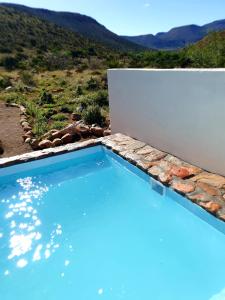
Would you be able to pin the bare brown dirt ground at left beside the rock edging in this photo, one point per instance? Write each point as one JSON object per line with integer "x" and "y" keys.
{"x": 11, "y": 132}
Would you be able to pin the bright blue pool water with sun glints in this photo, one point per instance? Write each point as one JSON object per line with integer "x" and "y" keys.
{"x": 88, "y": 225}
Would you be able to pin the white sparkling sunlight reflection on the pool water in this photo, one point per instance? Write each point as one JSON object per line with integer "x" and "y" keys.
{"x": 24, "y": 225}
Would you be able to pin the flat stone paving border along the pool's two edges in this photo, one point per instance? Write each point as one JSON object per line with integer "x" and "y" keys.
{"x": 203, "y": 188}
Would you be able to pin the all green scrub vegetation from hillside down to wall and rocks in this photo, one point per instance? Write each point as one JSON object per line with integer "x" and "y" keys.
{"x": 55, "y": 72}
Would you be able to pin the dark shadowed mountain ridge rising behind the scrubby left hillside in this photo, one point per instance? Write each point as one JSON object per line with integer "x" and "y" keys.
{"x": 81, "y": 24}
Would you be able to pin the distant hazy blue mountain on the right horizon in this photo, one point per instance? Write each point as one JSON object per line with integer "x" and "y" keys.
{"x": 178, "y": 37}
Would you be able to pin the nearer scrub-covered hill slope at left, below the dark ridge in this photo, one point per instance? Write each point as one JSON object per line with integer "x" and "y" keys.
{"x": 30, "y": 42}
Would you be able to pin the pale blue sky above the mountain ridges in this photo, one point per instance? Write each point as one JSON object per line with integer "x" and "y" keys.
{"x": 133, "y": 17}
